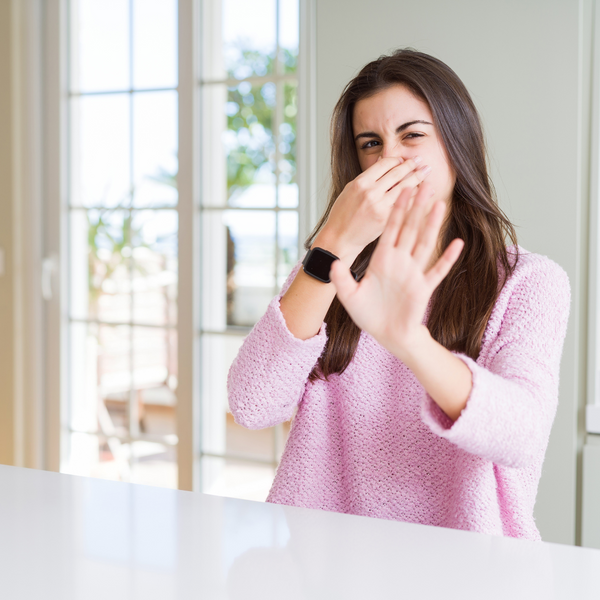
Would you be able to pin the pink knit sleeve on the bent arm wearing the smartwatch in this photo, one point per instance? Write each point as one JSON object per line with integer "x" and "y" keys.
{"x": 267, "y": 379}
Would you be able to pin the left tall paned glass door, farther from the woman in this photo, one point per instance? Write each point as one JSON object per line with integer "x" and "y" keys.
{"x": 123, "y": 225}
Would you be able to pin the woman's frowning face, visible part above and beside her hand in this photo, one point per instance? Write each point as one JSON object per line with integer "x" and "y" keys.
{"x": 394, "y": 122}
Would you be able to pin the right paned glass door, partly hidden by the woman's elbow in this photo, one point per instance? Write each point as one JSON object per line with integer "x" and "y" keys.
{"x": 249, "y": 215}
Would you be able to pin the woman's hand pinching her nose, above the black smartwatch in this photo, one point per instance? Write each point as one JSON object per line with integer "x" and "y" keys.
{"x": 361, "y": 211}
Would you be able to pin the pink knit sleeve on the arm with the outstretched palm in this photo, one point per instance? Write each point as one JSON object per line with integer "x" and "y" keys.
{"x": 512, "y": 404}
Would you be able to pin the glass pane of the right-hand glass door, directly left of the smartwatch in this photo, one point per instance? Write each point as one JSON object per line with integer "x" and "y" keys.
{"x": 251, "y": 265}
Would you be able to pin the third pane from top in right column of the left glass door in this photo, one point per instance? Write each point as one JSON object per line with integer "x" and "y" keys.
{"x": 154, "y": 239}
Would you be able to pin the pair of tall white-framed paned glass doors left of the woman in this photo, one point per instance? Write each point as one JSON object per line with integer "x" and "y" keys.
{"x": 131, "y": 252}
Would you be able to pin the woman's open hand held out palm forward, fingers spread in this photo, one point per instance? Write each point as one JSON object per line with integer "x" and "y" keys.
{"x": 390, "y": 301}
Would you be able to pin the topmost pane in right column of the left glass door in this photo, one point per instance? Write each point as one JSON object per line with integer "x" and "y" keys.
{"x": 154, "y": 43}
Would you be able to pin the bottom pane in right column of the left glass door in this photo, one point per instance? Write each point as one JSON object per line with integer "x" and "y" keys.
{"x": 154, "y": 464}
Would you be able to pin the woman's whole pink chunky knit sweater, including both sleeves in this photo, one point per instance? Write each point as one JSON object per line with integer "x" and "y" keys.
{"x": 372, "y": 442}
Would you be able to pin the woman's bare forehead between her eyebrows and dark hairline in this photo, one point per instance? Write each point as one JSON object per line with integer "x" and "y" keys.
{"x": 390, "y": 107}
